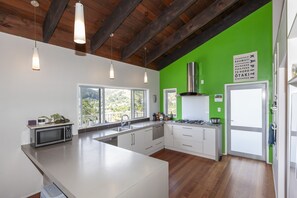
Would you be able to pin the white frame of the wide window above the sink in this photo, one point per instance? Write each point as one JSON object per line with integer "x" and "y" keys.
{"x": 102, "y": 103}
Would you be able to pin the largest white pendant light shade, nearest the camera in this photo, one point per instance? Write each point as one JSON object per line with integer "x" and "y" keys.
{"x": 79, "y": 24}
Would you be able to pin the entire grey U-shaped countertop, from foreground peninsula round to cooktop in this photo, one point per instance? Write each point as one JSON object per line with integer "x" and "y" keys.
{"x": 85, "y": 167}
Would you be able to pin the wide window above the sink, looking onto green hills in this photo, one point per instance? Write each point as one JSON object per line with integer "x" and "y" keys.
{"x": 98, "y": 105}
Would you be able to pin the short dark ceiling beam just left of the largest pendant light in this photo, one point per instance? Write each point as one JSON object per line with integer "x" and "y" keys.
{"x": 53, "y": 17}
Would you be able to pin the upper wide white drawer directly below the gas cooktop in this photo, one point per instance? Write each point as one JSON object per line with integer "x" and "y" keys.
{"x": 188, "y": 133}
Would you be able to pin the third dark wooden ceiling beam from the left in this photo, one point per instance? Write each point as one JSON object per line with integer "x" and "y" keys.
{"x": 152, "y": 29}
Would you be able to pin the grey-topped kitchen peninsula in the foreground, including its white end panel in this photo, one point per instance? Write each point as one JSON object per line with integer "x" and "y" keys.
{"x": 85, "y": 167}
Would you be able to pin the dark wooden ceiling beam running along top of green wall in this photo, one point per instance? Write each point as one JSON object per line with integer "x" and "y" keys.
{"x": 249, "y": 7}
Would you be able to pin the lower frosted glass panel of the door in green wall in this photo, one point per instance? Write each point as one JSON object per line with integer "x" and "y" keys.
{"x": 246, "y": 142}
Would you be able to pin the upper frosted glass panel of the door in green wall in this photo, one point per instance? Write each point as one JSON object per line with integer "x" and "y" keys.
{"x": 246, "y": 108}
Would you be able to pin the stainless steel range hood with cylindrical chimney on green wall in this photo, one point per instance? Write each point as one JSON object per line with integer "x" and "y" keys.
{"x": 192, "y": 81}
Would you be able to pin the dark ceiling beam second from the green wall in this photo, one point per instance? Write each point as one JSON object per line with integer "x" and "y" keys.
{"x": 197, "y": 22}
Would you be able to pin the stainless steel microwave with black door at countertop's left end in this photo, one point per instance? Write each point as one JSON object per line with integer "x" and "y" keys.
{"x": 47, "y": 135}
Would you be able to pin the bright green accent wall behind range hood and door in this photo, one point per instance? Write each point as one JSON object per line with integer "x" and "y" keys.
{"x": 215, "y": 60}
